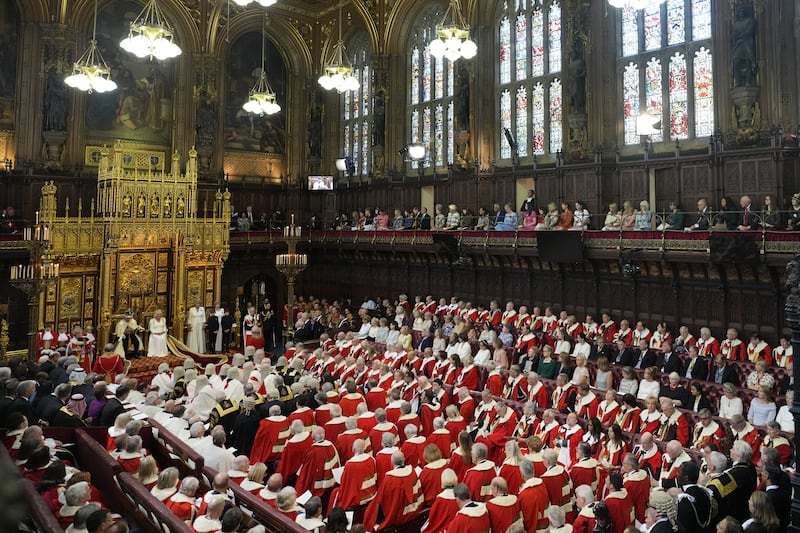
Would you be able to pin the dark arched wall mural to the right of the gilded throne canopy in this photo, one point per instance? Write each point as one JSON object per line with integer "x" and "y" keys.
{"x": 245, "y": 131}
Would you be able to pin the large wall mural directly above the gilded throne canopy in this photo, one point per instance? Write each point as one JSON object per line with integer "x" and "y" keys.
{"x": 141, "y": 107}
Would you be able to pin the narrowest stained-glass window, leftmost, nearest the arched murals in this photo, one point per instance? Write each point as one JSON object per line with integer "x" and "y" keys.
{"x": 357, "y": 108}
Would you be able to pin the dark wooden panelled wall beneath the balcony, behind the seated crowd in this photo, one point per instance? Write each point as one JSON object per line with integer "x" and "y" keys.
{"x": 695, "y": 294}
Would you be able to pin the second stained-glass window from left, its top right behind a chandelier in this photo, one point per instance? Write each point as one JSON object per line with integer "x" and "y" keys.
{"x": 431, "y": 91}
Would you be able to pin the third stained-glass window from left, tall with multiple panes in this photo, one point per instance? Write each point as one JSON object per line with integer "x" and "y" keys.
{"x": 530, "y": 92}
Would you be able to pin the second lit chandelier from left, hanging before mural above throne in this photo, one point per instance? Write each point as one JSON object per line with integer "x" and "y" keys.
{"x": 150, "y": 35}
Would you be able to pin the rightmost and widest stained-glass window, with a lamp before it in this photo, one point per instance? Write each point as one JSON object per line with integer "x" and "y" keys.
{"x": 665, "y": 68}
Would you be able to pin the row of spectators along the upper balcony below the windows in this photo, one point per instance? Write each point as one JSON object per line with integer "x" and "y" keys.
{"x": 631, "y": 216}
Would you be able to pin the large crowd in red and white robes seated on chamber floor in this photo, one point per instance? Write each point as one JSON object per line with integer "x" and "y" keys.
{"x": 559, "y": 421}
